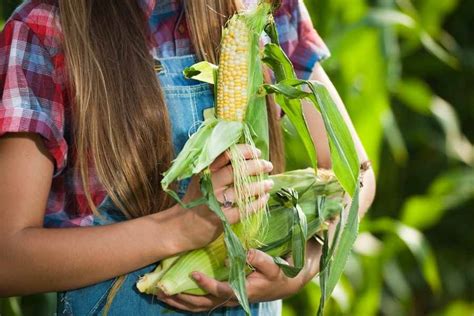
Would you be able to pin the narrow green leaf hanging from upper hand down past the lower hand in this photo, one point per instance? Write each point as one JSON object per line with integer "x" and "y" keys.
{"x": 236, "y": 252}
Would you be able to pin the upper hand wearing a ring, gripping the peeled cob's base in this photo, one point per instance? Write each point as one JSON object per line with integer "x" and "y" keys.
{"x": 200, "y": 225}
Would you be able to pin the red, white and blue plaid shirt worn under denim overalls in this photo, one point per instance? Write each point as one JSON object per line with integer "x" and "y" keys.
{"x": 33, "y": 95}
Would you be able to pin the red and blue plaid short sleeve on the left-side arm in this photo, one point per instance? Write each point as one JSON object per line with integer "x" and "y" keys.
{"x": 30, "y": 98}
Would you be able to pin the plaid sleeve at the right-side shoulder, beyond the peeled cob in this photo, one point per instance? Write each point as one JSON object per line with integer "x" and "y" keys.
{"x": 299, "y": 38}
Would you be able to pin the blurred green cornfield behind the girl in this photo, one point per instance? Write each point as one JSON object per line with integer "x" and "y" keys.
{"x": 405, "y": 69}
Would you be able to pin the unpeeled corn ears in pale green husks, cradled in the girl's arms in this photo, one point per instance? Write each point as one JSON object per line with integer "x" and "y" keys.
{"x": 172, "y": 276}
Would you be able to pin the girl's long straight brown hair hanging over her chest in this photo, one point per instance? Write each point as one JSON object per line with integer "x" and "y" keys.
{"x": 120, "y": 122}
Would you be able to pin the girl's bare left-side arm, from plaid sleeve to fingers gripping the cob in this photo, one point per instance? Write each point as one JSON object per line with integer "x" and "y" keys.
{"x": 35, "y": 259}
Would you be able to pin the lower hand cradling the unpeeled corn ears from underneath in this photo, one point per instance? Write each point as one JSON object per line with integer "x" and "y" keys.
{"x": 266, "y": 283}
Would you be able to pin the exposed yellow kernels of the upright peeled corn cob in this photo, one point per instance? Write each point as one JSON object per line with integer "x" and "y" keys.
{"x": 232, "y": 83}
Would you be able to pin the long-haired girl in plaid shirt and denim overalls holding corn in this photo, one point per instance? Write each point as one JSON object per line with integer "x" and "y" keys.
{"x": 93, "y": 109}
